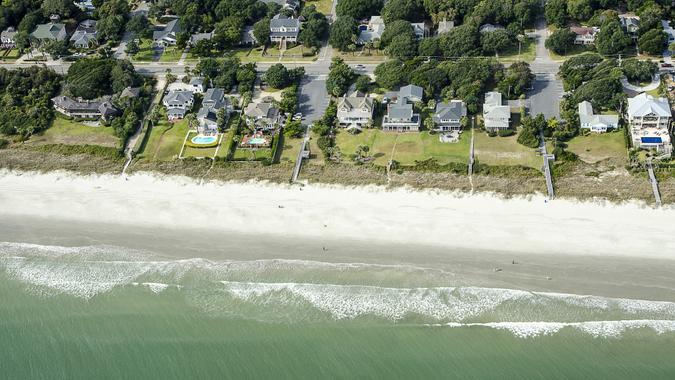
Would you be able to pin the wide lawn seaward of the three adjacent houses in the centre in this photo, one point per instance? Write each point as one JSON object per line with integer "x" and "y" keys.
{"x": 405, "y": 148}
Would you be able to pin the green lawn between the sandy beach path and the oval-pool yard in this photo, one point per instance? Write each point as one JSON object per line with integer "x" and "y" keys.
{"x": 165, "y": 140}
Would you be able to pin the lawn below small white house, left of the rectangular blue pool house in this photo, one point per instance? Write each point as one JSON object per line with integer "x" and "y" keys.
{"x": 599, "y": 146}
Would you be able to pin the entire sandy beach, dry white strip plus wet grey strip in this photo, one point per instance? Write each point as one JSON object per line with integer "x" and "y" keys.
{"x": 472, "y": 240}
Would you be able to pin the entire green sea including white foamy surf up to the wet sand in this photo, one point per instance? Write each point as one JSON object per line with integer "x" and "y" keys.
{"x": 103, "y": 312}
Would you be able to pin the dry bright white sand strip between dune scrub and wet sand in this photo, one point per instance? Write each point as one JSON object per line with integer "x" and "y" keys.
{"x": 455, "y": 220}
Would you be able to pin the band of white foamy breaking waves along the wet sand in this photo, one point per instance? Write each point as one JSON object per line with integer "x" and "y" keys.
{"x": 311, "y": 291}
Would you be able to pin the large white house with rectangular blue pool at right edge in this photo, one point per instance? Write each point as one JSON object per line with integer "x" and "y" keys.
{"x": 649, "y": 120}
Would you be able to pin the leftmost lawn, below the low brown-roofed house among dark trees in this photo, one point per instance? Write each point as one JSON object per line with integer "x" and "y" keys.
{"x": 64, "y": 131}
